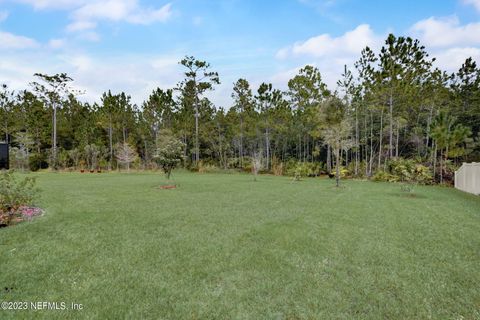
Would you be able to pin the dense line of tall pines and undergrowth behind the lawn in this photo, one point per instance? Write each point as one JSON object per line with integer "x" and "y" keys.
{"x": 395, "y": 104}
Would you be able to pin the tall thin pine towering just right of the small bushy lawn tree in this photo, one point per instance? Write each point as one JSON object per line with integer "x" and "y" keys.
{"x": 201, "y": 80}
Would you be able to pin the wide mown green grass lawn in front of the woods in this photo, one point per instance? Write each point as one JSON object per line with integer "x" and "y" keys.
{"x": 224, "y": 247}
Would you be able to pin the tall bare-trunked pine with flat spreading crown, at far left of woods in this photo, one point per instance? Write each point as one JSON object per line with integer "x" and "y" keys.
{"x": 52, "y": 90}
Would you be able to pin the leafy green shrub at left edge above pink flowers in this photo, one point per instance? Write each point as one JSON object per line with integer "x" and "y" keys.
{"x": 13, "y": 195}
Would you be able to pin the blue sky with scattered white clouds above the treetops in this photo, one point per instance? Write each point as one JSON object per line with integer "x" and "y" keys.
{"x": 135, "y": 45}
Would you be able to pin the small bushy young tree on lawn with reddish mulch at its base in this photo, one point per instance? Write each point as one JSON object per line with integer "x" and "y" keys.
{"x": 169, "y": 151}
